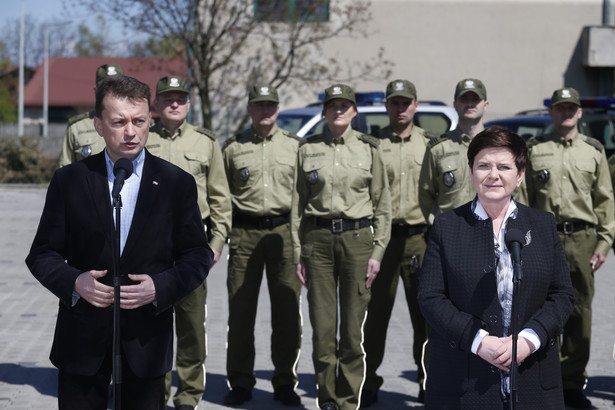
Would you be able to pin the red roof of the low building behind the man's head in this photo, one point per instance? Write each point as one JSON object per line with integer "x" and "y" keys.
{"x": 72, "y": 80}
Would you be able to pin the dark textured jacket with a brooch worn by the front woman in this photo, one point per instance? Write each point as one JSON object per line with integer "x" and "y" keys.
{"x": 458, "y": 296}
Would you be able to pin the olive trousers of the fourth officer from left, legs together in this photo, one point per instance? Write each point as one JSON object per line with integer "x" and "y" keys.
{"x": 336, "y": 267}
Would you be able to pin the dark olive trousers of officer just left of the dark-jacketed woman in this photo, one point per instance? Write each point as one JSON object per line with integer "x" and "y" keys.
{"x": 403, "y": 258}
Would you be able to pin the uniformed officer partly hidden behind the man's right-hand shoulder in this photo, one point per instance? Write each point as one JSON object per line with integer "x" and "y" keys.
{"x": 196, "y": 151}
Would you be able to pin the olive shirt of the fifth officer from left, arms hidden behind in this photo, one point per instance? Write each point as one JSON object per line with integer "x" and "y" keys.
{"x": 403, "y": 158}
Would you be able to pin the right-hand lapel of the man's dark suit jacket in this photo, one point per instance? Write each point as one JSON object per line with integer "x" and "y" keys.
{"x": 146, "y": 201}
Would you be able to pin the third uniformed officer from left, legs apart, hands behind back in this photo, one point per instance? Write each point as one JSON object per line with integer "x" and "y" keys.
{"x": 259, "y": 165}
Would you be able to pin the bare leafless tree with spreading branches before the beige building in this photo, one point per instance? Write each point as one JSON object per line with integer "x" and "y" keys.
{"x": 227, "y": 47}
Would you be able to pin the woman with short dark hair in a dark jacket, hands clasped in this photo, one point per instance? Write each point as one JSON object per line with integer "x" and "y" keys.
{"x": 465, "y": 290}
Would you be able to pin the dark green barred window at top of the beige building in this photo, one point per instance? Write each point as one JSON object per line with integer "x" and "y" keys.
{"x": 291, "y": 10}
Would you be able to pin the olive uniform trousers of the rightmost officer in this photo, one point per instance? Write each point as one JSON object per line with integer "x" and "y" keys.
{"x": 574, "y": 354}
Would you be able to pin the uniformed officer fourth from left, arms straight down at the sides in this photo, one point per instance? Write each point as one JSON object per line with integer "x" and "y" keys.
{"x": 341, "y": 224}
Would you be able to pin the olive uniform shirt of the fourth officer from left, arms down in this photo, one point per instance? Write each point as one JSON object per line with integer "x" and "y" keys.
{"x": 342, "y": 178}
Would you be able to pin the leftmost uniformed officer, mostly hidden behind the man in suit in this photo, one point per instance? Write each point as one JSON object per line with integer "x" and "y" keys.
{"x": 81, "y": 139}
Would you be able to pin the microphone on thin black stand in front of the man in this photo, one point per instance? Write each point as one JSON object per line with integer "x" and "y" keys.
{"x": 117, "y": 358}
